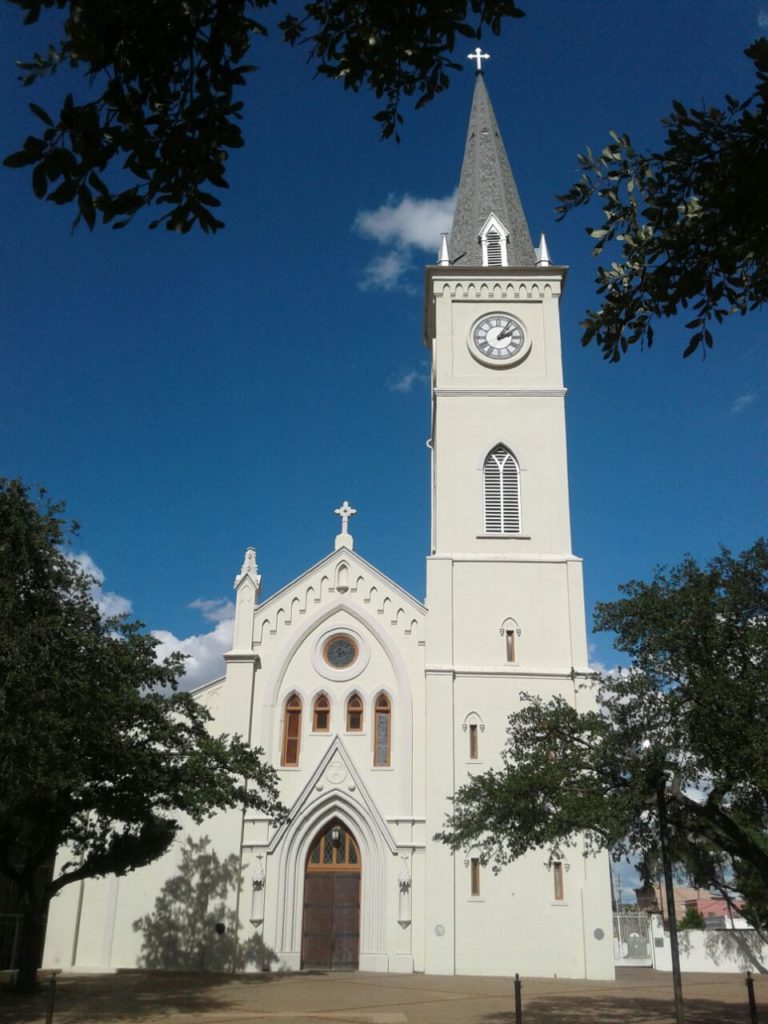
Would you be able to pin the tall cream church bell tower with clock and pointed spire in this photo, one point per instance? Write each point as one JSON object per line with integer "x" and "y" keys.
{"x": 505, "y": 606}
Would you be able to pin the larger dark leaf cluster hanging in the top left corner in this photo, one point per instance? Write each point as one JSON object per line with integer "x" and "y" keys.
{"x": 164, "y": 78}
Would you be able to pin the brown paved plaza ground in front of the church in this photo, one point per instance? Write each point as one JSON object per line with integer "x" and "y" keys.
{"x": 637, "y": 997}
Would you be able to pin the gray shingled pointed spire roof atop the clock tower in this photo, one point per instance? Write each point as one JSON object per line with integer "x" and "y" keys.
{"x": 487, "y": 187}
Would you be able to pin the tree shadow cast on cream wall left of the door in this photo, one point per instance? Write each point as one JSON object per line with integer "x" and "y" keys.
{"x": 193, "y": 926}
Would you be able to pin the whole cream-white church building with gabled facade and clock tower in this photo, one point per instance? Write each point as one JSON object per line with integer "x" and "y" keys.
{"x": 374, "y": 707}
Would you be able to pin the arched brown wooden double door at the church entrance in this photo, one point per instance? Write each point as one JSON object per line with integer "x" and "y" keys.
{"x": 331, "y": 938}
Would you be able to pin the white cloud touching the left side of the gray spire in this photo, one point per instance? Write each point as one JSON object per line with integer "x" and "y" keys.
{"x": 402, "y": 227}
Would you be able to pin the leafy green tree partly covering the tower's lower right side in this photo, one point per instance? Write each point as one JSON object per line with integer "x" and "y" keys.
{"x": 693, "y": 709}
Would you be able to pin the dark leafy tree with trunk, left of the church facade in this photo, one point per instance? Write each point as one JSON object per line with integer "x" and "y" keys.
{"x": 100, "y": 755}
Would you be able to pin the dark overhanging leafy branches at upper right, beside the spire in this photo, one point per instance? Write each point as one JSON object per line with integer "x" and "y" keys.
{"x": 687, "y": 226}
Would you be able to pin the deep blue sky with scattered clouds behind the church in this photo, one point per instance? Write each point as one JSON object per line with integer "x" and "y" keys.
{"x": 191, "y": 396}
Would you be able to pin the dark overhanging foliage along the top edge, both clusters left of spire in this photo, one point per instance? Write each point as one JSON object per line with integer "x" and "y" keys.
{"x": 161, "y": 113}
